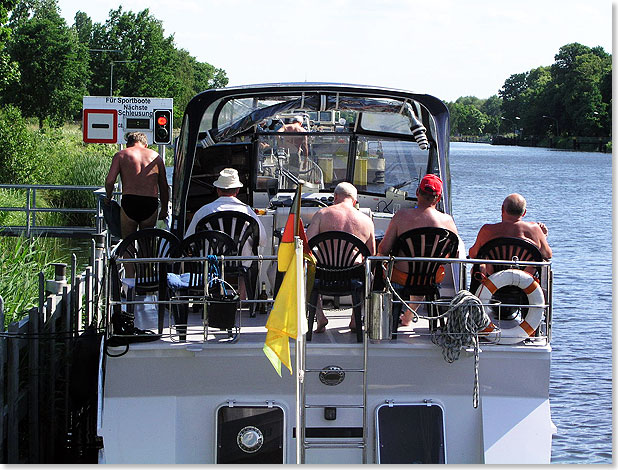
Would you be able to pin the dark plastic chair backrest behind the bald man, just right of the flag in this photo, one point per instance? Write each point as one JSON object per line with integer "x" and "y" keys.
{"x": 340, "y": 259}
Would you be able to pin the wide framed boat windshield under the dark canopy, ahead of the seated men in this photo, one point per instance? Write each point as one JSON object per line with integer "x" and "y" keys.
{"x": 376, "y": 143}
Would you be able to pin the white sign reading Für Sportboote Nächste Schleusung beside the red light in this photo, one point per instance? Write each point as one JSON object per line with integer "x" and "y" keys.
{"x": 107, "y": 119}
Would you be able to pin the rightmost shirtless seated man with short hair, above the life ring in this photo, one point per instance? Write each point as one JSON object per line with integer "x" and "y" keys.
{"x": 512, "y": 225}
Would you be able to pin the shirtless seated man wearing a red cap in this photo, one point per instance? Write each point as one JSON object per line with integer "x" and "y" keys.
{"x": 428, "y": 194}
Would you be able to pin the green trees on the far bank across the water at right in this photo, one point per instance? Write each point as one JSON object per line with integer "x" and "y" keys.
{"x": 572, "y": 97}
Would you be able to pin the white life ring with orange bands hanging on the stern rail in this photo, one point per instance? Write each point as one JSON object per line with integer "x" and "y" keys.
{"x": 536, "y": 302}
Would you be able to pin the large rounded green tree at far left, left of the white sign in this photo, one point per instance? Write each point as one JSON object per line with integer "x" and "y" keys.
{"x": 52, "y": 64}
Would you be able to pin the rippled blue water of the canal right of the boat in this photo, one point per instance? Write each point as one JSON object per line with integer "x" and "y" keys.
{"x": 571, "y": 193}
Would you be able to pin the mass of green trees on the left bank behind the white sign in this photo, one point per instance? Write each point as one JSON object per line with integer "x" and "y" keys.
{"x": 55, "y": 65}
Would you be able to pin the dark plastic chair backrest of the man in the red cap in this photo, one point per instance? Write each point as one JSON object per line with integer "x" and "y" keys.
{"x": 425, "y": 242}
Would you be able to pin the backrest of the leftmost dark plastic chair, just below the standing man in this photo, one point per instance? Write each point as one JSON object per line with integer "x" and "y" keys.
{"x": 148, "y": 243}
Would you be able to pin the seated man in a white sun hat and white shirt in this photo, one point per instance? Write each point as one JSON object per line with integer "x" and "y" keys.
{"x": 228, "y": 185}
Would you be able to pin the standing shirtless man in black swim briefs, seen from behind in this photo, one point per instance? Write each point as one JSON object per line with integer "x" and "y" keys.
{"x": 142, "y": 172}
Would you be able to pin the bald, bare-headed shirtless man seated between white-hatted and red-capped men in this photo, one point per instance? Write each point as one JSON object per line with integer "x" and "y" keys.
{"x": 342, "y": 216}
